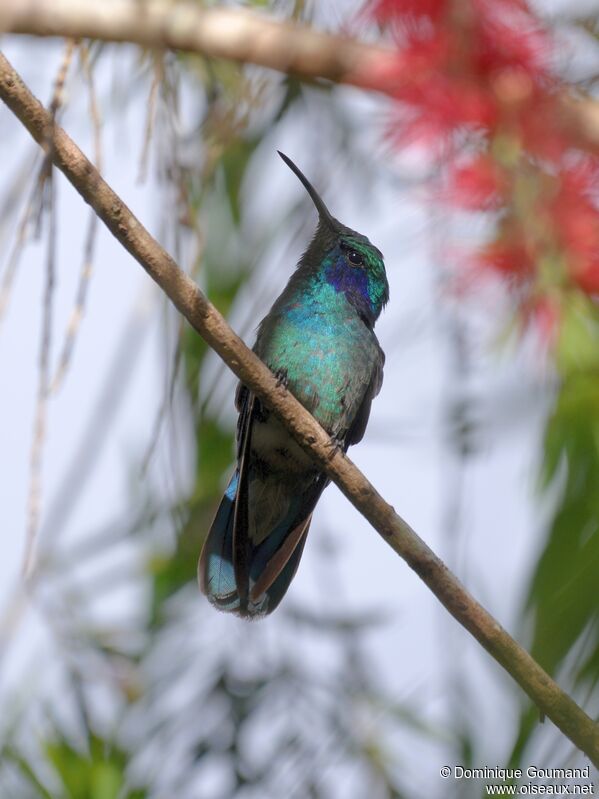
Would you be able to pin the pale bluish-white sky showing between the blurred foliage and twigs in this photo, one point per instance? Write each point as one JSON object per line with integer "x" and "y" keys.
{"x": 405, "y": 452}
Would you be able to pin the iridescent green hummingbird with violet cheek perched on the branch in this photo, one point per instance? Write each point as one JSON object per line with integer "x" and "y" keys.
{"x": 318, "y": 340}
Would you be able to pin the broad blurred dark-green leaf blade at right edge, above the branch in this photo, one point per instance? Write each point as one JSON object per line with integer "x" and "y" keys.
{"x": 563, "y": 598}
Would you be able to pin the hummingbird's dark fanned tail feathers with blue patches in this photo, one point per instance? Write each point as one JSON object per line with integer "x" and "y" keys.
{"x": 272, "y": 561}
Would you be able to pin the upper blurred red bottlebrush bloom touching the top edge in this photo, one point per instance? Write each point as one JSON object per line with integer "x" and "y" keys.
{"x": 448, "y": 53}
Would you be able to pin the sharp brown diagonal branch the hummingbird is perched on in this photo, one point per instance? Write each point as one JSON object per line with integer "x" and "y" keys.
{"x": 207, "y": 321}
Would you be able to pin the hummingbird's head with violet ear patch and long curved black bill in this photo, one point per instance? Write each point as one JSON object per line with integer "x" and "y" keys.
{"x": 345, "y": 259}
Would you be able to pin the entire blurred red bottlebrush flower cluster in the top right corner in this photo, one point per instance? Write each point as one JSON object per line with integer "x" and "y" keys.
{"x": 474, "y": 75}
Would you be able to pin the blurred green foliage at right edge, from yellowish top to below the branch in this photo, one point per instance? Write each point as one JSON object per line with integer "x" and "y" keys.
{"x": 562, "y": 608}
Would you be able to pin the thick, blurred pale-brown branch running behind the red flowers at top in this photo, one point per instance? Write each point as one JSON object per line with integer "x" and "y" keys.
{"x": 235, "y": 34}
